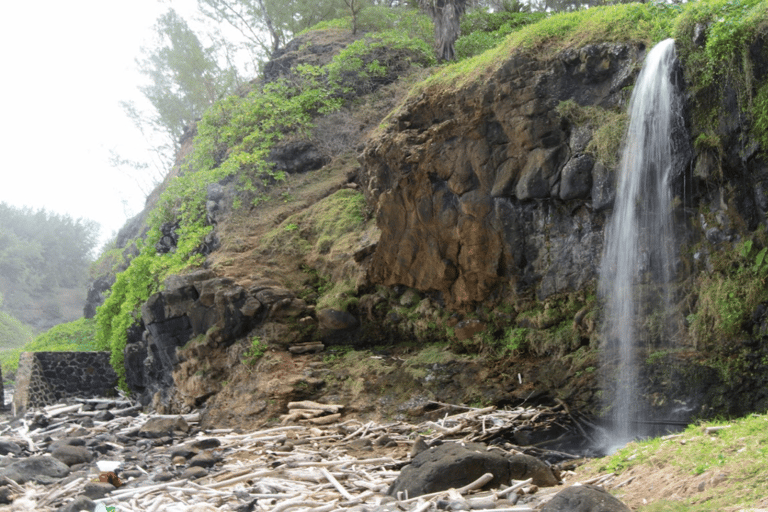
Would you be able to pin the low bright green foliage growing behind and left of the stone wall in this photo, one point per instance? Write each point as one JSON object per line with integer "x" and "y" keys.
{"x": 77, "y": 336}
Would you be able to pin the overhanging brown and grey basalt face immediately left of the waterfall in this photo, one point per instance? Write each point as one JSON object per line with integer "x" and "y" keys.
{"x": 487, "y": 186}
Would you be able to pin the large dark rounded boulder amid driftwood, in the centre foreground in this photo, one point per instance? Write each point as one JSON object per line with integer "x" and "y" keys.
{"x": 450, "y": 465}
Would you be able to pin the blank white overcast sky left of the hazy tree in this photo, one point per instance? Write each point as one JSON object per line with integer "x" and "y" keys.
{"x": 66, "y": 66}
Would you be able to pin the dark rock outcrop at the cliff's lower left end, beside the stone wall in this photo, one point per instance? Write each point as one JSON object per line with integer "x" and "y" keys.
{"x": 178, "y": 352}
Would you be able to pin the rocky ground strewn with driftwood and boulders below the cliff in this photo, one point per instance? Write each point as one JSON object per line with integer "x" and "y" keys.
{"x": 316, "y": 459}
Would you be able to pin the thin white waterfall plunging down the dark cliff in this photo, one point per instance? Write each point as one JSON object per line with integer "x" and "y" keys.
{"x": 639, "y": 254}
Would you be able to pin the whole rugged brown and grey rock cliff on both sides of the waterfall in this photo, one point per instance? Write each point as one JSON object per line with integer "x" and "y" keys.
{"x": 485, "y": 201}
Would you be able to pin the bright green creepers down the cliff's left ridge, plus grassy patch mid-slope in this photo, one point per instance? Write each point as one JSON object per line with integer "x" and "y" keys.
{"x": 235, "y": 137}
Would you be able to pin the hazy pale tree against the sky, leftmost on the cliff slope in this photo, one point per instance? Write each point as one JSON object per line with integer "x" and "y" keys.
{"x": 184, "y": 80}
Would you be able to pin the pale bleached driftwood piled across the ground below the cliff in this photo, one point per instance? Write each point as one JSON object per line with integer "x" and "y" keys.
{"x": 312, "y": 466}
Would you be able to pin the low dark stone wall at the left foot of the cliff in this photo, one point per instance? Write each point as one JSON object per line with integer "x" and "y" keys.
{"x": 44, "y": 378}
